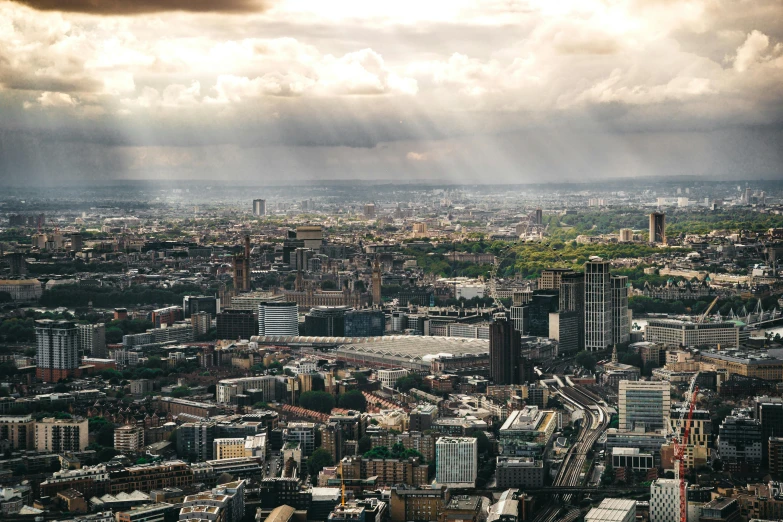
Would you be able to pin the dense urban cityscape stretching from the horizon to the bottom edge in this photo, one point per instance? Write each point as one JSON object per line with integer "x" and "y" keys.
{"x": 387, "y": 352}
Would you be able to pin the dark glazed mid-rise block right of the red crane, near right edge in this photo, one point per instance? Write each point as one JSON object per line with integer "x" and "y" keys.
{"x": 740, "y": 443}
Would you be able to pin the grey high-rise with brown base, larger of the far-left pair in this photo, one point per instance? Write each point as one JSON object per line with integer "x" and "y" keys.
{"x": 57, "y": 353}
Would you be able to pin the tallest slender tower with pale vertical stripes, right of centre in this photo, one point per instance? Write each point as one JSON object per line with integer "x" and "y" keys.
{"x": 598, "y": 305}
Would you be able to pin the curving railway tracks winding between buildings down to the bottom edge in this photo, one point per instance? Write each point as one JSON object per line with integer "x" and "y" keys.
{"x": 594, "y": 423}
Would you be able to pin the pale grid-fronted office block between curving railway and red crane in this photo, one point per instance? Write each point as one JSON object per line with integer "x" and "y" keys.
{"x": 644, "y": 404}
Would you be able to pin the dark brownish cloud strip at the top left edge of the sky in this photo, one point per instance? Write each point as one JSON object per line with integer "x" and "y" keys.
{"x": 135, "y": 7}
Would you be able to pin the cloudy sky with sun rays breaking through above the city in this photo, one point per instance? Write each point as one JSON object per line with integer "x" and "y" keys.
{"x": 461, "y": 91}
